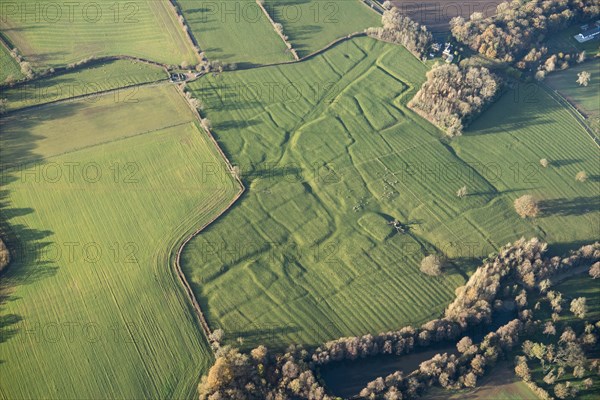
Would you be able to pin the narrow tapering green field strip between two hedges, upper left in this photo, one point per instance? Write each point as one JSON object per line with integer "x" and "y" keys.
{"x": 94, "y": 79}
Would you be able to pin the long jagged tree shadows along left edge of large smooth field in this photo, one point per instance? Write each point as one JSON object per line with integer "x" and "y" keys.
{"x": 28, "y": 246}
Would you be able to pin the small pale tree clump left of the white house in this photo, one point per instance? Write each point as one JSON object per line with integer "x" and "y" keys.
{"x": 400, "y": 29}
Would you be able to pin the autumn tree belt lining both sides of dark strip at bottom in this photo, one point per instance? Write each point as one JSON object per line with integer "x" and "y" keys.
{"x": 515, "y": 266}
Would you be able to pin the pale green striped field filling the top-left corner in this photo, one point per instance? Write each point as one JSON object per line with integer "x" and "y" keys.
{"x": 45, "y": 32}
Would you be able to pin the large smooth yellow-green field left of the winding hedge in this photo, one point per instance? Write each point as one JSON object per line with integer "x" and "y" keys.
{"x": 94, "y": 225}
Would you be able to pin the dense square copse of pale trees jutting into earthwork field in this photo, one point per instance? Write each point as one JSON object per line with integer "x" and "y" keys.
{"x": 452, "y": 96}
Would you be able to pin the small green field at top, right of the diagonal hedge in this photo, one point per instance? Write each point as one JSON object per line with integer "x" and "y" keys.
{"x": 313, "y": 24}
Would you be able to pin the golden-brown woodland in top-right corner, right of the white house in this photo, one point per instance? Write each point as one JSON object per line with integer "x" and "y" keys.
{"x": 519, "y": 26}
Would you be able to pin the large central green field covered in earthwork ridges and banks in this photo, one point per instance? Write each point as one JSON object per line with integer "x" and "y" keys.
{"x": 310, "y": 256}
